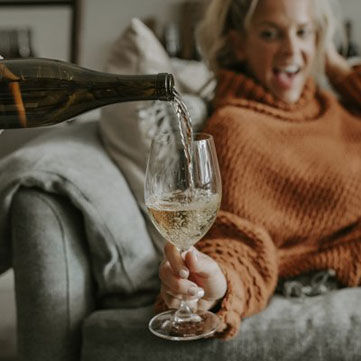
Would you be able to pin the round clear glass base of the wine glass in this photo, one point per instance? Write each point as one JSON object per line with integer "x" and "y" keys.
{"x": 201, "y": 326}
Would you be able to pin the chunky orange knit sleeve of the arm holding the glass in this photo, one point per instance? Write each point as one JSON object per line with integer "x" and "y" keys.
{"x": 248, "y": 258}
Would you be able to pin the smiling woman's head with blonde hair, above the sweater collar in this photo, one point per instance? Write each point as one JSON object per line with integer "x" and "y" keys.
{"x": 291, "y": 36}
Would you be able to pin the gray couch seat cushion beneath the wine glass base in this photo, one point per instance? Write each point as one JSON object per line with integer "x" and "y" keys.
{"x": 326, "y": 327}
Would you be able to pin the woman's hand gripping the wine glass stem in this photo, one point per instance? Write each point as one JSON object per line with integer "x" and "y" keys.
{"x": 192, "y": 276}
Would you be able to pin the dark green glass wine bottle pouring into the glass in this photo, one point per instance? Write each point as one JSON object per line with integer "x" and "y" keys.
{"x": 37, "y": 92}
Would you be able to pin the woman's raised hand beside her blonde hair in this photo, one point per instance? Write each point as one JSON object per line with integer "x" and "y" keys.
{"x": 337, "y": 67}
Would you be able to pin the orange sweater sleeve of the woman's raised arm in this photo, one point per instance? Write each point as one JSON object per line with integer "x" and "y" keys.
{"x": 350, "y": 87}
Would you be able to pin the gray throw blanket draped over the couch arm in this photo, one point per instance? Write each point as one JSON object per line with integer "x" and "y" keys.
{"x": 72, "y": 162}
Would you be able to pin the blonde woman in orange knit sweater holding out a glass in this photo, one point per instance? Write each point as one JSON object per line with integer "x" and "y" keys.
{"x": 290, "y": 158}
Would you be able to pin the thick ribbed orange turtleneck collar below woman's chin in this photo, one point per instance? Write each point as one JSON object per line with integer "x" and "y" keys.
{"x": 240, "y": 90}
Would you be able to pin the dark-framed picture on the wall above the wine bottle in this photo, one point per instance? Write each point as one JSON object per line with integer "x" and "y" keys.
{"x": 25, "y": 24}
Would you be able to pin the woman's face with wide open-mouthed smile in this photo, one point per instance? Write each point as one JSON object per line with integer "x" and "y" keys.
{"x": 279, "y": 46}
